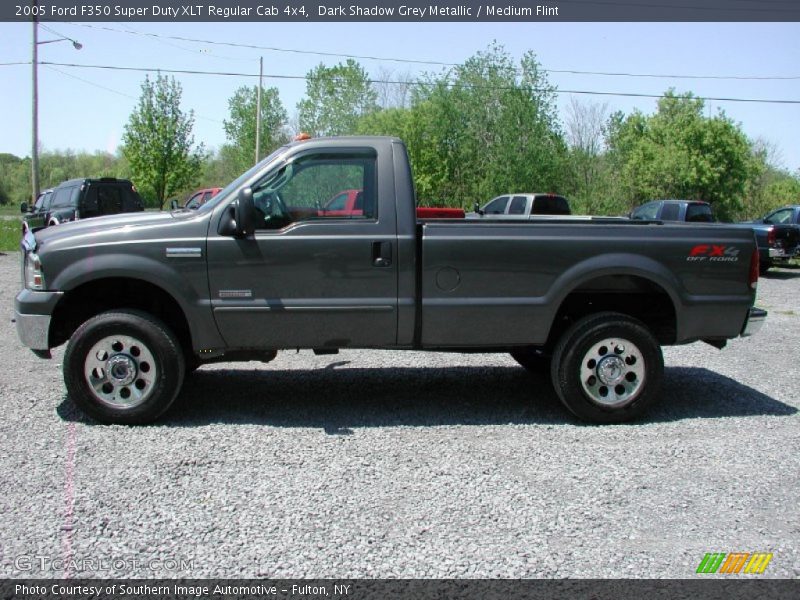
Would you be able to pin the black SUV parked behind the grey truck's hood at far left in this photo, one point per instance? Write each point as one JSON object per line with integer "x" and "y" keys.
{"x": 81, "y": 199}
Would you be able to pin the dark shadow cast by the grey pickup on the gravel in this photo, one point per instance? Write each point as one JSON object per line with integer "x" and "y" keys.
{"x": 340, "y": 400}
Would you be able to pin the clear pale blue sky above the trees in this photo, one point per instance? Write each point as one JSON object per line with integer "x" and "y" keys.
{"x": 86, "y": 109}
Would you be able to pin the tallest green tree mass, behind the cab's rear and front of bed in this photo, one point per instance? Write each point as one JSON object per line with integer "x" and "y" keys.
{"x": 481, "y": 129}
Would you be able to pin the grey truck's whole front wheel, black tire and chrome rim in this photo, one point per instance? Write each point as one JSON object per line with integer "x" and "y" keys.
{"x": 123, "y": 367}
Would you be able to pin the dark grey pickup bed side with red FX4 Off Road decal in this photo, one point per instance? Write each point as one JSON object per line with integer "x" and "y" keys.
{"x": 502, "y": 283}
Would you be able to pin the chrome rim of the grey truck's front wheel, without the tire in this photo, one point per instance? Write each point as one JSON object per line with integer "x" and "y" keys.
{"x": 121, "y": 371}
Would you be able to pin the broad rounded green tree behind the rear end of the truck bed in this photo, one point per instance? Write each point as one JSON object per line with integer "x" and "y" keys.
{"x": 679, "y": 153}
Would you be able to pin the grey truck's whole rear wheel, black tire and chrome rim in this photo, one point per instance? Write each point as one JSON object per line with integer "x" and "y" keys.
{"x": 607, "y": 368}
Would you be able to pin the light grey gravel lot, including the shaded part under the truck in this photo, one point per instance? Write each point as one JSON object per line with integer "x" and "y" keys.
{"x": 404, "y": 464}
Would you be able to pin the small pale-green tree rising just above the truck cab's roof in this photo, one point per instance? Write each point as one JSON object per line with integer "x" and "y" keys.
{"x": 336, "y": 97}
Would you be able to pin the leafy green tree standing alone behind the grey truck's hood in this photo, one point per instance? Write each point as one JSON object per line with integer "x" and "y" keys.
{"x": 158, "y": 142}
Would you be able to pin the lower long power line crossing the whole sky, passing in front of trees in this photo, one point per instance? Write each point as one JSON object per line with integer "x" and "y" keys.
{"x": 304, "y": 77}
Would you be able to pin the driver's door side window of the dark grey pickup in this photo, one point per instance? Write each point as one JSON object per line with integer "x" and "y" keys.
{"x": 304, "y": 190}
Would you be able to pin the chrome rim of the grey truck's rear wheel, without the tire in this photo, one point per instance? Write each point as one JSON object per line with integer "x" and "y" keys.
{"x": 613, "y": 372}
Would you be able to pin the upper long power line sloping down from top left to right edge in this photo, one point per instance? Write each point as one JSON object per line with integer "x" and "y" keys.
{"x": 436, "y": 63}
